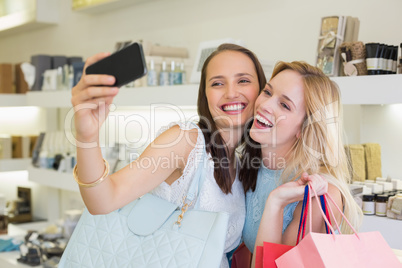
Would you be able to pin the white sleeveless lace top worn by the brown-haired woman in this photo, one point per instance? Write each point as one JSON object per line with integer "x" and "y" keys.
{"x": 211, "y": 196}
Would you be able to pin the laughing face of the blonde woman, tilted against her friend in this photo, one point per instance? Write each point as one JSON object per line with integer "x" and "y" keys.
{"x": 280, "y": 111}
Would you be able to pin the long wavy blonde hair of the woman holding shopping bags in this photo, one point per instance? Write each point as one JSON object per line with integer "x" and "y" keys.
{"x": 320, "y": 147}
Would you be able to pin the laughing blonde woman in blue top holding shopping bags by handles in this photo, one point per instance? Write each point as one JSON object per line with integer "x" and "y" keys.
{"x": 296, "y": 128}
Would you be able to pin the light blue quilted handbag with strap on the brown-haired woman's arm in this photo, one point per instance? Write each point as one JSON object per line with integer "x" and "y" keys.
{"x": 150, "y": 232}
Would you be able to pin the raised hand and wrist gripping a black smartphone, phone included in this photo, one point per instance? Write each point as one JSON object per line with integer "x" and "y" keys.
{"x": 104, "y": 73}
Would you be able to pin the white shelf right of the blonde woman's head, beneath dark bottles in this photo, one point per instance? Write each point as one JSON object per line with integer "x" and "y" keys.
{"x": 370, "y": 89}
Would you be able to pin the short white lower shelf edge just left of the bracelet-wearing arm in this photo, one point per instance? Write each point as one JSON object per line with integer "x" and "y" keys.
{"x": 51, "y": 178}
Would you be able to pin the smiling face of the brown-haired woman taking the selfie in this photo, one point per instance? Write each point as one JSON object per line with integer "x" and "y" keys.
{"x": 231, "y": 88}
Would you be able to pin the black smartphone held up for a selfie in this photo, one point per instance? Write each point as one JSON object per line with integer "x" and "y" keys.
{"x": 126, "y": 65}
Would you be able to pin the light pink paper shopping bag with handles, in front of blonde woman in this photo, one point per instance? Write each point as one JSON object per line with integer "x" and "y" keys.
{"x": 342, "y": 250}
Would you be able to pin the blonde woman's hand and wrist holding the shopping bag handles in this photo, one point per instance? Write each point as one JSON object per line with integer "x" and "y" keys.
{"x": 294, "y": 191}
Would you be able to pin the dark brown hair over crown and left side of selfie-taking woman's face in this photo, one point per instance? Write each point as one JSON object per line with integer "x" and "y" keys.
{"x": 217, "y": 146}
